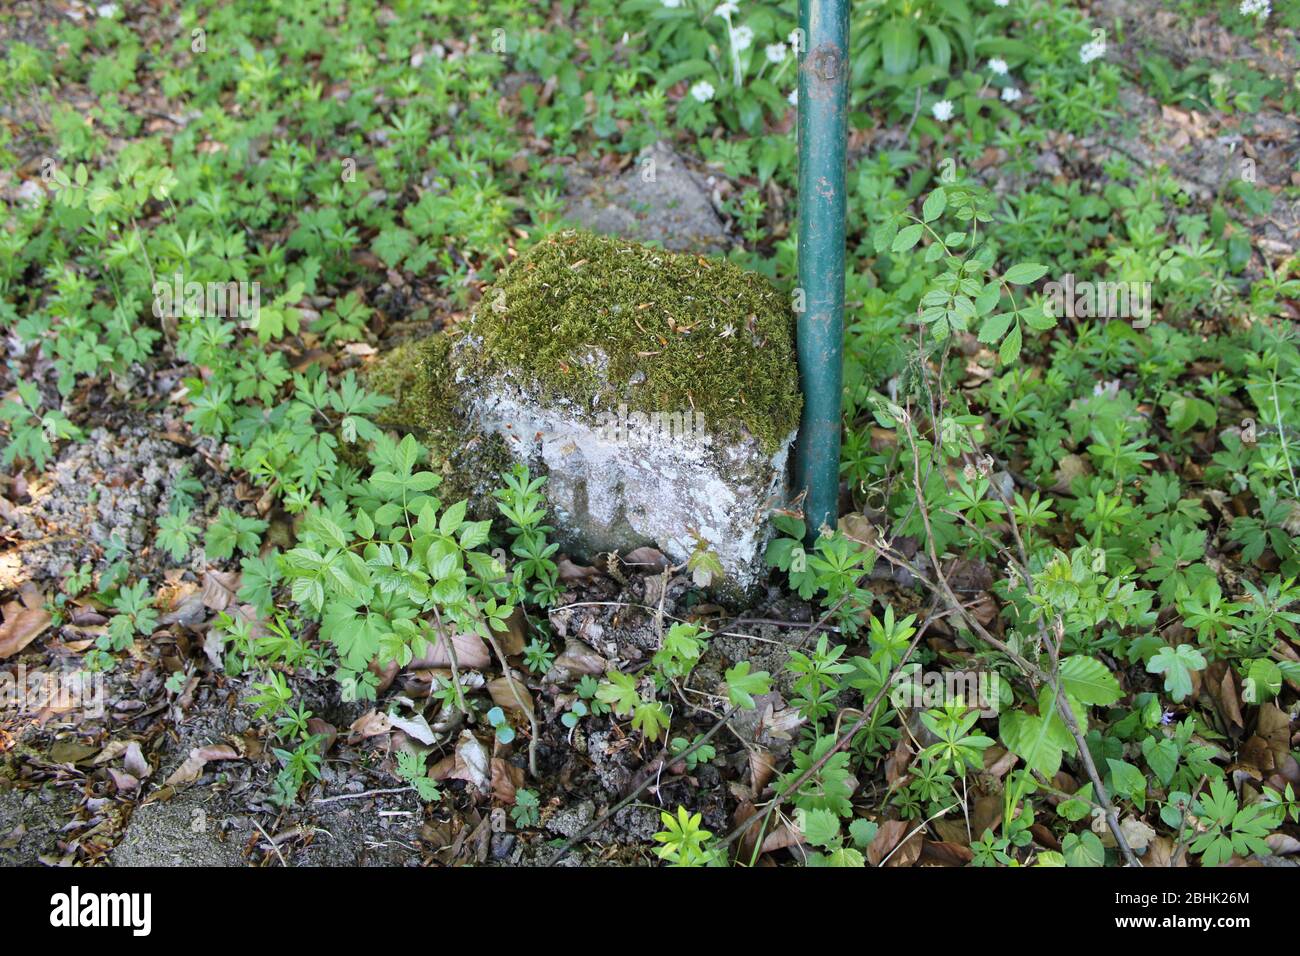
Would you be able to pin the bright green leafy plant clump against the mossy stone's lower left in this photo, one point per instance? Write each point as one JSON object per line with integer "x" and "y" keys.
{"x": 392, "y": 570}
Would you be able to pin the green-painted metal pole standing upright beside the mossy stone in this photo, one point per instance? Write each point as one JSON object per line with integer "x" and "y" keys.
{"x": 824, "y": 129}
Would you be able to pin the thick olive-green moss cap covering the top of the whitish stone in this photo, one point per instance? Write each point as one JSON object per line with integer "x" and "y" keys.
{"x": 605, "y": 322}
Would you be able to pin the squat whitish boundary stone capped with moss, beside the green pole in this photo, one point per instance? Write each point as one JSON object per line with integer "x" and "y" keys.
{"x": 657, "y": 391}
